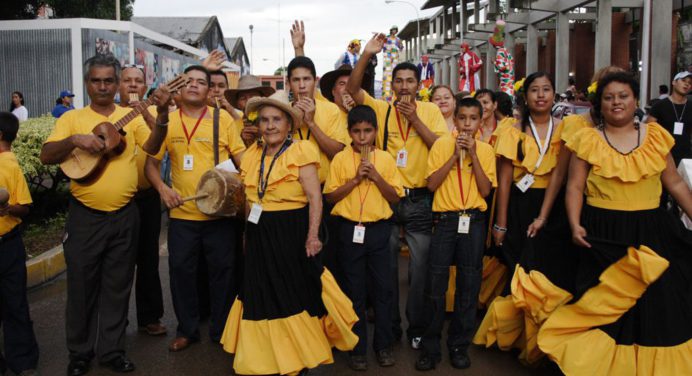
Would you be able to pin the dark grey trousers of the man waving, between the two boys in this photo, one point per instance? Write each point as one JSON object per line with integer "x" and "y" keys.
{"x": 415, "y": 215}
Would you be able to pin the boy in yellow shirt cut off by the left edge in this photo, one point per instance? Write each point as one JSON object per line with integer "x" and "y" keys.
{"x": 21, "y": 350}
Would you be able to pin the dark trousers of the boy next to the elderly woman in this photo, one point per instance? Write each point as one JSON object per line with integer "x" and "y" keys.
{"x": 367, "y": 272}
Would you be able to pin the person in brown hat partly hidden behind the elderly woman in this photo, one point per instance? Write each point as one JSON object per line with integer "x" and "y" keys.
{"x": 248, "y": 87}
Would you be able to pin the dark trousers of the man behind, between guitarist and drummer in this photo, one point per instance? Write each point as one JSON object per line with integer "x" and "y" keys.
{"x": 148, "y": 295}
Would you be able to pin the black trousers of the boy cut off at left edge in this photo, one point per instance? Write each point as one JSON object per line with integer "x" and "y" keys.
{"x": 21, "y": 350}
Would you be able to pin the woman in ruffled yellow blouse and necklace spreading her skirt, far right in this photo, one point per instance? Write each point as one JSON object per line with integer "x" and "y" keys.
{"x": 636, "y": 259}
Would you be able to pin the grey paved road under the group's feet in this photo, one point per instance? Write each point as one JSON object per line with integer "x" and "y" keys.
{"x": 152, "y": 357}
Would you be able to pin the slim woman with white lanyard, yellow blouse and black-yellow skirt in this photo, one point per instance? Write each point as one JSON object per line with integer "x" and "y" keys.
{"x": 541, "y": 264}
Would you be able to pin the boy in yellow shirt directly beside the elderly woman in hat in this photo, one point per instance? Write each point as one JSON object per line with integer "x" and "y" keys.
{"x": 363, "y": 181}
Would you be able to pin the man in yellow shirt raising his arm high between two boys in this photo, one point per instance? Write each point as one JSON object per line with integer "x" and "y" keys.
{"x": 408, "y": 130}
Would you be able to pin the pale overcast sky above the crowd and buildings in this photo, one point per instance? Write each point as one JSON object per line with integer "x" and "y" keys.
{"x": 329, "y": 24}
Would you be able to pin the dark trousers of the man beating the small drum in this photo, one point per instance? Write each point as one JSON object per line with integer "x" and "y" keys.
{"x": 215, "y": 240}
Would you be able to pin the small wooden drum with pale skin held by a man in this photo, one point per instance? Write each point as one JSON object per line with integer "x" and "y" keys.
{"x": 220, "y": 193}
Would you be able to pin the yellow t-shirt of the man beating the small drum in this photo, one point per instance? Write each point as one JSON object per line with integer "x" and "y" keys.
{"x": 202, "y": 152}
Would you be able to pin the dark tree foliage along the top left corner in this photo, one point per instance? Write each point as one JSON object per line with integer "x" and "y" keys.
{"x": 104, "y": 9}
